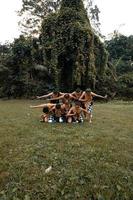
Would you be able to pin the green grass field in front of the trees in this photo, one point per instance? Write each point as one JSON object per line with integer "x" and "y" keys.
{"x": 89, "y": 161}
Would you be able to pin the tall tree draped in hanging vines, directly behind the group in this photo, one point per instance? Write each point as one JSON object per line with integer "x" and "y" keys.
{"x": 73, "y": 53}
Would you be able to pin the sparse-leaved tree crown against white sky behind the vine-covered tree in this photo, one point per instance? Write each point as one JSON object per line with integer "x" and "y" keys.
{"x": 34, "y": 11}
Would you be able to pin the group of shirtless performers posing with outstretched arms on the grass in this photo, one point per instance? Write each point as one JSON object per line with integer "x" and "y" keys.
{"x": 68, "y": 107}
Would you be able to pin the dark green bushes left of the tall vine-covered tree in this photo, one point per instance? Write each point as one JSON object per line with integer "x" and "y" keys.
{"x": 21, "y": 74}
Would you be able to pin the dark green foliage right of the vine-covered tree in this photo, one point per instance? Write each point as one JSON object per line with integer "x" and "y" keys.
{"x": 121, "y": 54}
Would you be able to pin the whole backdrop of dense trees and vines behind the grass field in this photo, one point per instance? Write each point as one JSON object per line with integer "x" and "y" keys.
{"x": 61, "y": 47}
